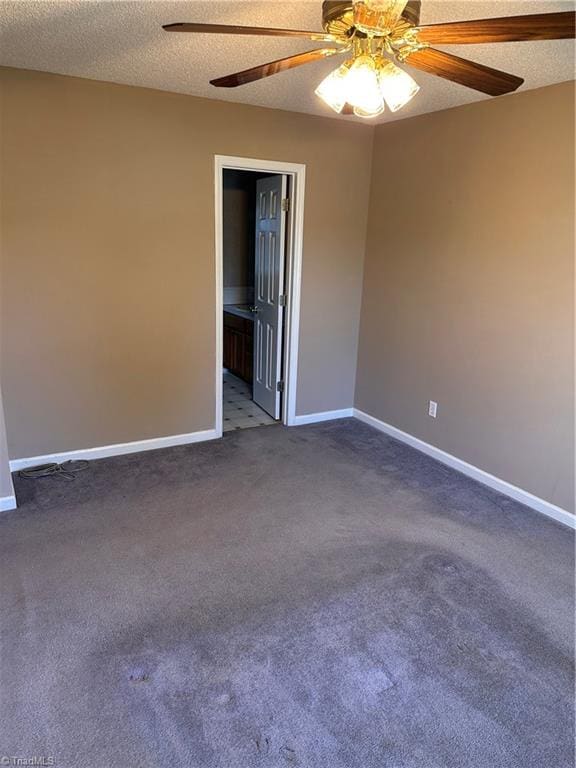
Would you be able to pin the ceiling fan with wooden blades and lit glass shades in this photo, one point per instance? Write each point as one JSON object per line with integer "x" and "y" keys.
{"x": 378, "y": 33}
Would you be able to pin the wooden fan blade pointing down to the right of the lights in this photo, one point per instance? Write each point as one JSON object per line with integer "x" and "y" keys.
{"x": 468, "y": 73}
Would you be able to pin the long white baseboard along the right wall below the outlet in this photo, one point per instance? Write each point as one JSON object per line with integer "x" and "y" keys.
{"x": 502, "y": 486}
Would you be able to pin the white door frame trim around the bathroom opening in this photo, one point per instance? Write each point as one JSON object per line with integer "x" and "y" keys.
{"x": 294, "y": 247}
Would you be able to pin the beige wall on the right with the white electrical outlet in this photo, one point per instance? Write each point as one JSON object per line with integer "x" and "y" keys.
{"x": 469, "y": 286}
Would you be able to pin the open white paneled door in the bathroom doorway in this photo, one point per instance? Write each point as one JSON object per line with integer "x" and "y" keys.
{"x": 269, "y": 288}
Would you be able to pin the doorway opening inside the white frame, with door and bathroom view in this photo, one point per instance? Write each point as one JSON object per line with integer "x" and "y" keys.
{"x": 254, "y": 248}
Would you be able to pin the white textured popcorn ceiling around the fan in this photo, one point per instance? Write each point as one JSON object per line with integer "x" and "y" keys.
{"x": 123, "y": 42}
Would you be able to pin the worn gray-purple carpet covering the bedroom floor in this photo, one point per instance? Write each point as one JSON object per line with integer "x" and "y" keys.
{"x": 320, "y": 596}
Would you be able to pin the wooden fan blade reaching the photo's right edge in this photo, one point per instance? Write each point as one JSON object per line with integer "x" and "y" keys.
{"x": 539, "y": 26}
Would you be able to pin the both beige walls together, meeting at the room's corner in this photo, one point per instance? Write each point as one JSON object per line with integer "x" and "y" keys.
{"x": 108, "y": 269}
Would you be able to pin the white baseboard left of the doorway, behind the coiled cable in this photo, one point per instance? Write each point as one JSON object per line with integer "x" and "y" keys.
{"x": 118, "y": 449}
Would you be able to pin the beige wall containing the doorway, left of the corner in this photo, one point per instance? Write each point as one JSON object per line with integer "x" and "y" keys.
{"x": 108, "y": 250}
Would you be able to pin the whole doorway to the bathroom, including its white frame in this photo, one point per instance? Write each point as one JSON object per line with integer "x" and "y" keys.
{"x": 259, "y": 228}
